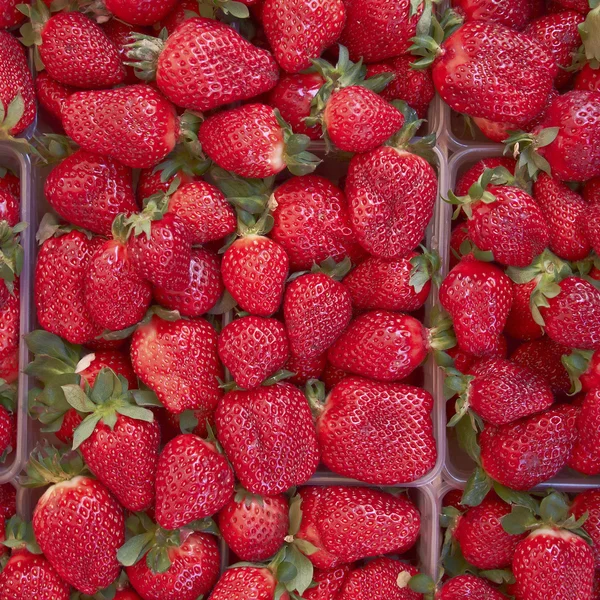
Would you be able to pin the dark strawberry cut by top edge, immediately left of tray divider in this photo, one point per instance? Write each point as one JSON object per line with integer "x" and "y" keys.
{"x": 386, "y": 36}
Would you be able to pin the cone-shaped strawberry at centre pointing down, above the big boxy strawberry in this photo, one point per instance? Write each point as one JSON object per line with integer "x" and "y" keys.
{"x": 317, "y": 309}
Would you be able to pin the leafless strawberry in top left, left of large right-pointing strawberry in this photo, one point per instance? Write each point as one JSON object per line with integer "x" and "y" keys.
{"x": 76, "y": 52}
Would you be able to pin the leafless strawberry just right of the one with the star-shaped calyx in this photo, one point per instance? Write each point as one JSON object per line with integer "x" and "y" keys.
{"x": 193, "y": 481}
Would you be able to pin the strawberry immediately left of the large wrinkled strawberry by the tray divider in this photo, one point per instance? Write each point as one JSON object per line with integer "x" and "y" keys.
{"x": 311, "y": 222}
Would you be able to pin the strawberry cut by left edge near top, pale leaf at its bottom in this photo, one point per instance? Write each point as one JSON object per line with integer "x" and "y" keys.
{"x": 17, "y": 96}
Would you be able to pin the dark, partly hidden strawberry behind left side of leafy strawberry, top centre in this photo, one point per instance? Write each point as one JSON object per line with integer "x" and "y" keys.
{"x": 292, "y": 97}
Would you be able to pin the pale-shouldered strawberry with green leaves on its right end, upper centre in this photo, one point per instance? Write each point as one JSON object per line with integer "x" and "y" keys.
{"x": 253, "y": 141}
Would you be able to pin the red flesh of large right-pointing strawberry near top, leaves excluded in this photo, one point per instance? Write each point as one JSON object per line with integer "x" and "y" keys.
{"x": 205, "y": 64}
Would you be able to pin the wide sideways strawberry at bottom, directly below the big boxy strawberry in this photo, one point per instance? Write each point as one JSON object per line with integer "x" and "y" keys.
{"x": 347, "y": 524}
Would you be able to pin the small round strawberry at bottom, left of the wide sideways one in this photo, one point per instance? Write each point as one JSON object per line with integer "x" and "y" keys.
{"x": 254, "y": 527}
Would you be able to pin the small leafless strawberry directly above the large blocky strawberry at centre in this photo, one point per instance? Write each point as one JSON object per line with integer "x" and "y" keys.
{"x": 253, "y": 349}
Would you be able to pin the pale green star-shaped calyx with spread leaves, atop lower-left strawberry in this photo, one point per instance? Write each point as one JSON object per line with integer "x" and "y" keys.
{"x": 105, "y": 401}
